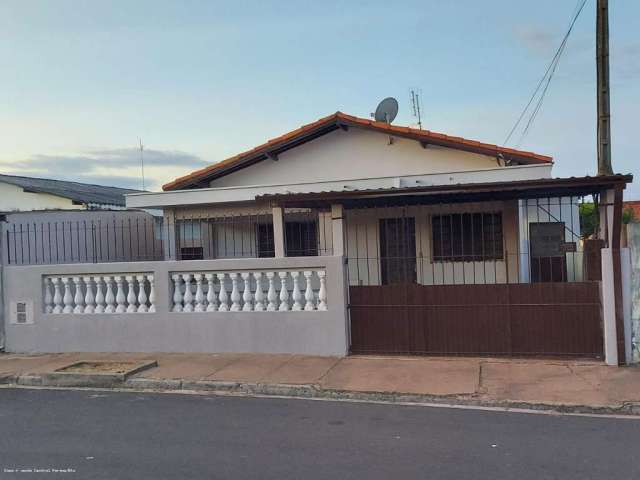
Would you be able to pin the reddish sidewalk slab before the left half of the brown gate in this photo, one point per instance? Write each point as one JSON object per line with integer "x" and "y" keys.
{"x": 408, "y": 375}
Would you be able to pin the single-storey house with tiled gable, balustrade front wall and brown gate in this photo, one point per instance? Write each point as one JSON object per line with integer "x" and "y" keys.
{"x": 354, "y": 236}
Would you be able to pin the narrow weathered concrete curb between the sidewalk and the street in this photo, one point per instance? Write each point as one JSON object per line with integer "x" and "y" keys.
{"x": 310, "y": 391}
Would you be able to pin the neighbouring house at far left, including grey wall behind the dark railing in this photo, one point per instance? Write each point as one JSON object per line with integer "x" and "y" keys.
{"x": 45, "y": 221}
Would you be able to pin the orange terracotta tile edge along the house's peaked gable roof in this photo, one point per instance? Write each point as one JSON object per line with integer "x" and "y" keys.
{"x": 426, "y": 135}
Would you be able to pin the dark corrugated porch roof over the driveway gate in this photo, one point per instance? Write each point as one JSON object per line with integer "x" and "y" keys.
{"x": 551, "y": 187}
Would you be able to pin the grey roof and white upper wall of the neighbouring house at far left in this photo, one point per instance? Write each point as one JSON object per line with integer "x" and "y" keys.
{"x": 19, "y": 193}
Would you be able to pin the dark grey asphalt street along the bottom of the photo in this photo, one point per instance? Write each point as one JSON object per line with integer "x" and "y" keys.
{"x": 112, "y": 435}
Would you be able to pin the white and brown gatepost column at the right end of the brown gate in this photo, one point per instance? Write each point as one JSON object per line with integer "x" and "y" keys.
{"x": 612, "y": 297}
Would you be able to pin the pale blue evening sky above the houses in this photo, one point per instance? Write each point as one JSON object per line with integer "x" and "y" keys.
{"x": 199, "y": 81}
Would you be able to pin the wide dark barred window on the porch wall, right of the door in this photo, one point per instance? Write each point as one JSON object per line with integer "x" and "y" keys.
{"x": 467, "y": 237}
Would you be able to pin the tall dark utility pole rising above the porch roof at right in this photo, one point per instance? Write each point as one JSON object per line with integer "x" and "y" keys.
{"x": 602, "y": 64}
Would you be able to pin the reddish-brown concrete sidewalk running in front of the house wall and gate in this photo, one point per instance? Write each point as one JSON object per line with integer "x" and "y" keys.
{"x": 573, "y": 385}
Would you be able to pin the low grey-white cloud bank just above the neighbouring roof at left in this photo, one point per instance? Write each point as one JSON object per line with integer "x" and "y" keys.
{"x": 114, "y": 167}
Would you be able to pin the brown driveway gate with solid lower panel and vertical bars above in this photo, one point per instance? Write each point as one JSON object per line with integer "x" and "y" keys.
{"x": 454, "y": 279}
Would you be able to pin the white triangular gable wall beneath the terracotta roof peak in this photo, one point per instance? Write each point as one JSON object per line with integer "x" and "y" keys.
{"x": 355, "y": 154}
